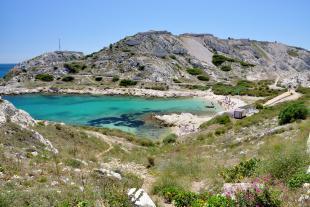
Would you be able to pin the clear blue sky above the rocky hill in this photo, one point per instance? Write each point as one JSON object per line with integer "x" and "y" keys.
{"x": 31, "y": 27}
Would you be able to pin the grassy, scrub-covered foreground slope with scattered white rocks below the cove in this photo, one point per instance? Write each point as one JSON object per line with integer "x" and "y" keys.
{"x": 249, "y": 162}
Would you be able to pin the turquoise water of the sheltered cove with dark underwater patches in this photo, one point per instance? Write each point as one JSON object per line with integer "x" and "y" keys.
{"x": 131, "y": 114}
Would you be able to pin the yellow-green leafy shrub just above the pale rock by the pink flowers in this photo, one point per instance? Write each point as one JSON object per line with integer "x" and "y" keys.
{"x": 240, "y": 171}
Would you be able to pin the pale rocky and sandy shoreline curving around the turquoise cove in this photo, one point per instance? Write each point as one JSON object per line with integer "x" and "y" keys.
{"x": 181, "y": 124}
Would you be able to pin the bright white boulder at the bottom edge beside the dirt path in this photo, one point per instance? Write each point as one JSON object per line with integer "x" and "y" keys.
{"x": 140, "y": 198}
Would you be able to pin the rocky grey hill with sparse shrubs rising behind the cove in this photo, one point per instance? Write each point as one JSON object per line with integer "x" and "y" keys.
{"x": 160, "y": 60}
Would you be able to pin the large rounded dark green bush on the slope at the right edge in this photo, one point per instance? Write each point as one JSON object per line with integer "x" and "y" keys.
{"x": 292, "y": 113}
